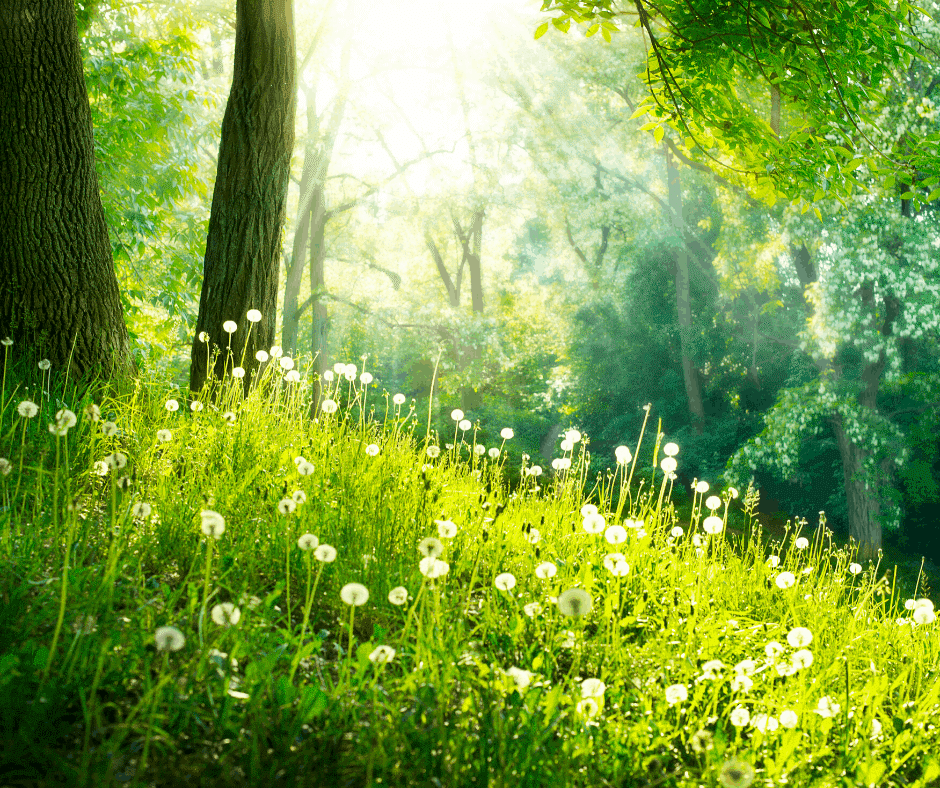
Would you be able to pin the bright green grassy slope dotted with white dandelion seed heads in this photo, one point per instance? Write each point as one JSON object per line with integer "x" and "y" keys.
{"x": 186, "y": 601}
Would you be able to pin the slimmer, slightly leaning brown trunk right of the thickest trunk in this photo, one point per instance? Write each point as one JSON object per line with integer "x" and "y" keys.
{"x": 243, "y": 247}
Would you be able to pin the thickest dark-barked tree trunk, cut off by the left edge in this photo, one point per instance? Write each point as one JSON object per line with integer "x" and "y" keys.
{"x": 59, "y": 296}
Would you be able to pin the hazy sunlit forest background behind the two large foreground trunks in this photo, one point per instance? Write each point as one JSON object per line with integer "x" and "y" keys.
{"x": 490, "y": 211}
